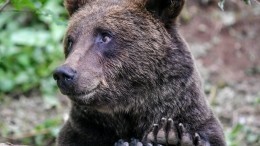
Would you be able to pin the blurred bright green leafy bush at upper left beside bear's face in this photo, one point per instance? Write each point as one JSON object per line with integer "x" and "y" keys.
{"x": 30, "y": 44}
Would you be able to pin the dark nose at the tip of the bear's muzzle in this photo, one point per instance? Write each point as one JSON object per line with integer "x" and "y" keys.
{"x": 64, "y": 73}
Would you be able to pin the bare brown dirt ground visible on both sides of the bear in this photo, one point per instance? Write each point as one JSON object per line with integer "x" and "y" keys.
{"x": 226, "y": 47}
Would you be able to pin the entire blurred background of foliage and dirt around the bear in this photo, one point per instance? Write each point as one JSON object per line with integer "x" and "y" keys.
{"x": 225, "y": 44}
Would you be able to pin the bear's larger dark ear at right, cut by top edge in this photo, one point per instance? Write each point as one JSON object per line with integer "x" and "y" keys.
{"x": 166, "y": 10}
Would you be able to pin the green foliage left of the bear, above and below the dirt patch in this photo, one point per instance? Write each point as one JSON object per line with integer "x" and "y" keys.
{"x": 31, "y": 33}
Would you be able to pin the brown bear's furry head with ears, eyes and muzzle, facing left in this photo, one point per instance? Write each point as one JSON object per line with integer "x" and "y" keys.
{"x": 120, "y": 52}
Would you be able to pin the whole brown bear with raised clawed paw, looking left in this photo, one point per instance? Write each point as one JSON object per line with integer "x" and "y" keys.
{"x": 126, "y": 69}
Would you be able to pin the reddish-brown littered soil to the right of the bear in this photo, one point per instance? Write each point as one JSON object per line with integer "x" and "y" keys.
{"x": 226, "y": 46}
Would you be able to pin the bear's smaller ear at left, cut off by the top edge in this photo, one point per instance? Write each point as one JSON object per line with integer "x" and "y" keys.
{"x": 73, "y": 5}
